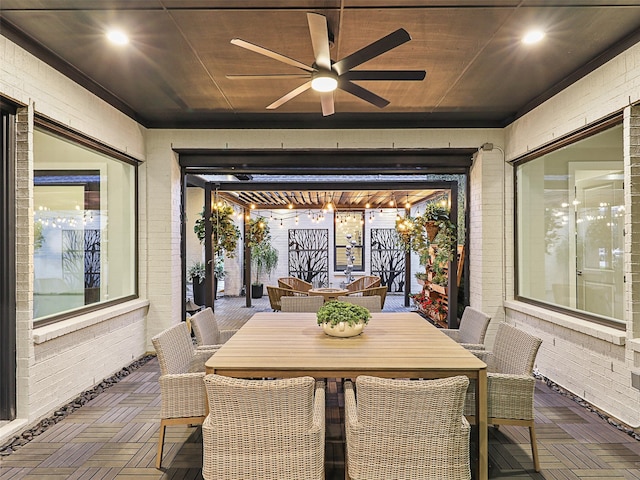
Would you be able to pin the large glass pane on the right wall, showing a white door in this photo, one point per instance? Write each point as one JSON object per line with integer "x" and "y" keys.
{"x": 570, "y": 208}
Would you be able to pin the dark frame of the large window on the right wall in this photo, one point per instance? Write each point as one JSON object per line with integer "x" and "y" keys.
{"x": 571, "y": 138}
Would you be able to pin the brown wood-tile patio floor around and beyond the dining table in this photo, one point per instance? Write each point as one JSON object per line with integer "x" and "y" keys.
{"x": 114, "y": 435}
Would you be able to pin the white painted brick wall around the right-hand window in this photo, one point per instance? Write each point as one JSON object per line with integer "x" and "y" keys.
{"x": 589, "y": 366}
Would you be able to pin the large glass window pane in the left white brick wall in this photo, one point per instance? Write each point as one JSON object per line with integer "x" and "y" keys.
{"x": 84, "y": 227}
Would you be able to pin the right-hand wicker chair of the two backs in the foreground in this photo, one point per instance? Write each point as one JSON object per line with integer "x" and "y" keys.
{"x": 407, "y": 429}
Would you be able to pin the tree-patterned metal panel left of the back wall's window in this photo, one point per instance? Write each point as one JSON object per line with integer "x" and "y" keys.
{"x": 309, "y": 255}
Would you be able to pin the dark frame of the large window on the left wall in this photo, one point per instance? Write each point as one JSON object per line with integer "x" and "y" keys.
{"x": 51, "y": 127}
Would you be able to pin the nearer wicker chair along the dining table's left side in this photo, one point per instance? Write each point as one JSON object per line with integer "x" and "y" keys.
{"x": 183, "y": 396}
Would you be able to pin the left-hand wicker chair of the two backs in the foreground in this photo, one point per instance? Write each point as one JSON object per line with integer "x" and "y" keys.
{"x": 264, "y": 429}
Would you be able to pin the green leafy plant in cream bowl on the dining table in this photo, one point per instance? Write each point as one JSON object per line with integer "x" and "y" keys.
{"x": 342, "y": 319}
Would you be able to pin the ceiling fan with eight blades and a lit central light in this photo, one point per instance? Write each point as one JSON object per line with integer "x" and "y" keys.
{"x": 325, "y": 75}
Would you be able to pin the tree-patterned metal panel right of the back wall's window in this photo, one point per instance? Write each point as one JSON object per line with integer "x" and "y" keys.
{"x": 388, "y": 258}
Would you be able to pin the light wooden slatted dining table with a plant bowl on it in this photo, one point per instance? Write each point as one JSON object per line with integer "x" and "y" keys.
{"x": 393, "y": 345}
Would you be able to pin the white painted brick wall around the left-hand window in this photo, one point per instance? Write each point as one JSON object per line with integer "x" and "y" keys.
{"x": 45, "y": 385}
